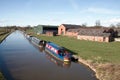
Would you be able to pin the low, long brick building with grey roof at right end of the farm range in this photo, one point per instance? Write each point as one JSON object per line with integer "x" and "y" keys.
{"x": 94, "y": 35}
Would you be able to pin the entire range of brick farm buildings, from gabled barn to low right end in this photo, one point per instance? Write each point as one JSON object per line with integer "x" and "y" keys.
{"x": 87, "y": 33}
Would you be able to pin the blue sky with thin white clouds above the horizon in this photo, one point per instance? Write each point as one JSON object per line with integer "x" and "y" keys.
{"x": 56, "y": 12}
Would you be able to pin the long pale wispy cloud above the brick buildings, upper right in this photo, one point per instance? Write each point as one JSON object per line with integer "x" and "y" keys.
{"x": 102, "y": 11}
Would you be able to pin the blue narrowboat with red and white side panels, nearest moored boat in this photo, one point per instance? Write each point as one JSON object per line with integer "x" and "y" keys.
{"x": 58, "y": 52}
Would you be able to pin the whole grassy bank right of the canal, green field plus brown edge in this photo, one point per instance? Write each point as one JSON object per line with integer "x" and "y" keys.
{"x": 103, "y": 58}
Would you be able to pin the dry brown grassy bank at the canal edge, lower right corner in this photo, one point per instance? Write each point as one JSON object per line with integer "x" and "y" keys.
{"x": 103, "y": 71}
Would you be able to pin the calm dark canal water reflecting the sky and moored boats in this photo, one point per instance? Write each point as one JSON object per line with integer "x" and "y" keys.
{"x": 22, "y": 60}
